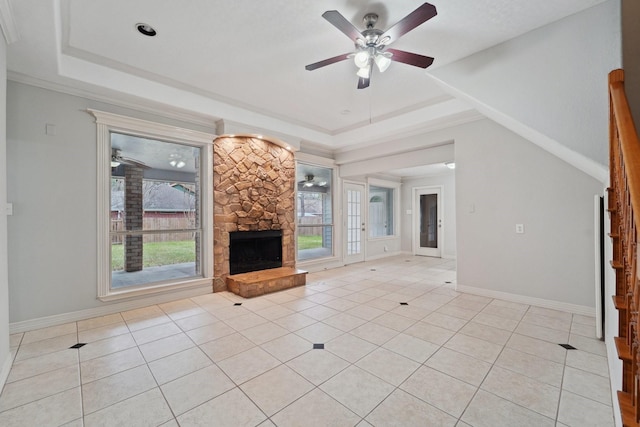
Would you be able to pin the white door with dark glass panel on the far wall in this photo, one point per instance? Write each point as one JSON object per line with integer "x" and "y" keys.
{"x": 427, "y": 218}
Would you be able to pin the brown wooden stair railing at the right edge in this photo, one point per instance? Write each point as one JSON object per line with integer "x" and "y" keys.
{"x": 624, "y": 212}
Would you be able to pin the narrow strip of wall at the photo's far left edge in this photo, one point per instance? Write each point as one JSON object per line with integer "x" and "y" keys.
{"x": 5, "y": 357}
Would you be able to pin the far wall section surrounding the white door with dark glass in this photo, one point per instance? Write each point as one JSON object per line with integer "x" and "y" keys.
{"x": 448, "y": 182}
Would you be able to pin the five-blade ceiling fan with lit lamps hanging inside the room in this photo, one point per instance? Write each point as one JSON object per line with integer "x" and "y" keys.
{"x": 371, "y": 44}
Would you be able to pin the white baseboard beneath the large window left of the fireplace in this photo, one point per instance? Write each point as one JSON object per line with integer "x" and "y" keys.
{"x": 74, "y": 316}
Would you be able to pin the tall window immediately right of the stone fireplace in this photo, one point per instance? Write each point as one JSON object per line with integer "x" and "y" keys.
{"x": 314, "y": 211}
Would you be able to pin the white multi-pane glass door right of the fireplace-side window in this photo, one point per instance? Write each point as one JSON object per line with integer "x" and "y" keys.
{"x": 354, "y": 222}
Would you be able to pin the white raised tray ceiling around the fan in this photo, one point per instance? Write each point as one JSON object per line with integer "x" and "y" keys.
{"x": 243, "y": 60}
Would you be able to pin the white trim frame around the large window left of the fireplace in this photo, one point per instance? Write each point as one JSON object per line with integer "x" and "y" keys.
{"x": 107, "y": 123}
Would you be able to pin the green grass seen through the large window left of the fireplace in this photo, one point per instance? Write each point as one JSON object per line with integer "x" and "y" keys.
{"x": 157, "y": 253}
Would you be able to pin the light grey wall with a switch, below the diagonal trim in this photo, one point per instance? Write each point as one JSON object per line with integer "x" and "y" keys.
{"x": 505, "y": 180}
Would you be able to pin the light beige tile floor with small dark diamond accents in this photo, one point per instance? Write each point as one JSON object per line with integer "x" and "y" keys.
{"x": 442, "y": 359}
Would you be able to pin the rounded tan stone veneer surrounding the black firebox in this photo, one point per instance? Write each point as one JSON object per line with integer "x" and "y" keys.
{"x": 253, "y": 190}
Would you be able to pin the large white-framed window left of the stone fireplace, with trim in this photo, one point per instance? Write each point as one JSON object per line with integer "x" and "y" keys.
{"x": 153, "y": 207}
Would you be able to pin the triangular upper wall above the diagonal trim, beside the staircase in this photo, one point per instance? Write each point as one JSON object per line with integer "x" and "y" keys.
{"x": 552, "y": 79}
